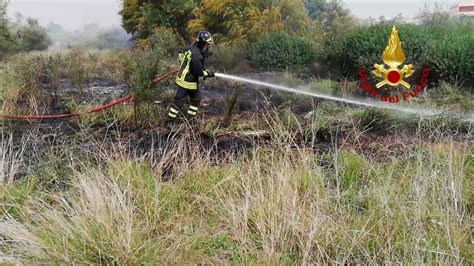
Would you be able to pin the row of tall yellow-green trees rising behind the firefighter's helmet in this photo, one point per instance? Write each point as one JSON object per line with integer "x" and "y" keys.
{"x": 234, "y": 21}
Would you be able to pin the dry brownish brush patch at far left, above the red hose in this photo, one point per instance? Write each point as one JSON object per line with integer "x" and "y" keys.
{"x": 37, "y": 83}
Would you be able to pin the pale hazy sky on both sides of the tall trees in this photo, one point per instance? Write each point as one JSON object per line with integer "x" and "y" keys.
{"x": 73, "y": 14}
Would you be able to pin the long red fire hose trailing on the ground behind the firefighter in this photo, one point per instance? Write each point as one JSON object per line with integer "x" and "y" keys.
{"x": 95, "y": 110}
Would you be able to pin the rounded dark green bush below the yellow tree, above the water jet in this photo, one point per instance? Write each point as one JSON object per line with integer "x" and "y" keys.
{"x": 279, "y": 50}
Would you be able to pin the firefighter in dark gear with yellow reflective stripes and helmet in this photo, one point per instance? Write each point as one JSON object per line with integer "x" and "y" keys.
{"x": 187, "y": 81}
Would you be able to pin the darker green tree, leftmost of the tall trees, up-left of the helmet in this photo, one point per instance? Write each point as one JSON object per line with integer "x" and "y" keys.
{"x": 141, "y": 17}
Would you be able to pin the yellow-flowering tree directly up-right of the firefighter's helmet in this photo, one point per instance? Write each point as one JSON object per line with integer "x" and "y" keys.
{"x": 237, "y": 21}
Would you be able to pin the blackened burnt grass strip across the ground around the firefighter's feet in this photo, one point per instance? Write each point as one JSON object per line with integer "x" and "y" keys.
{"x": 224, "y": 103}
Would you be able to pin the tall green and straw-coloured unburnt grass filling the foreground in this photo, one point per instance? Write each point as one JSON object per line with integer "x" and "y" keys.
{"x": 183, "y": 202}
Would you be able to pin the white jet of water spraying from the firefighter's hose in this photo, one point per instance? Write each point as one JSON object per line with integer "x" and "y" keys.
{"x": 367, "y": 103}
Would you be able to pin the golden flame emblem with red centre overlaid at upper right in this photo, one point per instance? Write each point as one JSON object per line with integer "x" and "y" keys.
{"x": 393, "y": 56}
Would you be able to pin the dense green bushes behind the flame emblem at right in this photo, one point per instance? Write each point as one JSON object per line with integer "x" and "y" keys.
{"x": 442, "y": 47}
